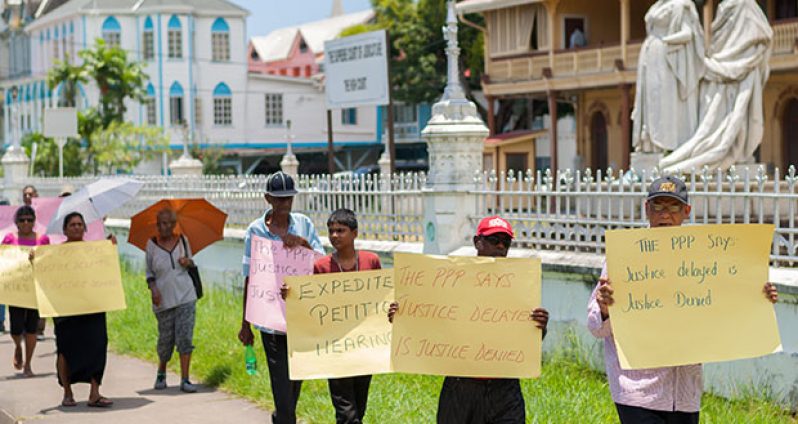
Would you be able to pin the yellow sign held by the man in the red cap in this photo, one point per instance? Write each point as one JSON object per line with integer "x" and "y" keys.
{"x": 466, "y": 317}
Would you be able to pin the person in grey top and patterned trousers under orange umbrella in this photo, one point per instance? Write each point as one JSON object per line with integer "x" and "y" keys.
{"x": 173, "y": 297}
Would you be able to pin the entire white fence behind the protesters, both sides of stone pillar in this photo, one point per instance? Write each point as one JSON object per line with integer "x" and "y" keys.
{"x": 570, "y": 212}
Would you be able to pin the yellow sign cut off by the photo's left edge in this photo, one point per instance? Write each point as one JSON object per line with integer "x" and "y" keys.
{"x": 16, "y": 277}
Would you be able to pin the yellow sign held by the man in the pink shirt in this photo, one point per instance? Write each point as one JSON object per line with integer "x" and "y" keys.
{"x": 687, "y": 295}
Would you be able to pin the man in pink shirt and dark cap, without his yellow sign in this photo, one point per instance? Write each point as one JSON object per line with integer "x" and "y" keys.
{"x": 669, "y": 395}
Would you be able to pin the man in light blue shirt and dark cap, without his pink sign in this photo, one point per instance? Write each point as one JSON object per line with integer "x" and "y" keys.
{"x": 293, "y": 229}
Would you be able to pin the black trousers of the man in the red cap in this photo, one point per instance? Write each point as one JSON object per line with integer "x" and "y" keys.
{"x": 481, "y": 401}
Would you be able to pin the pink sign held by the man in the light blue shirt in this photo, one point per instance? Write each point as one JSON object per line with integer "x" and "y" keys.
{"x": 270, "y": 263}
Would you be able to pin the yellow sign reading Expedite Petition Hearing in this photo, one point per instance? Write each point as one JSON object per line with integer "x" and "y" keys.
{"x": 338, "y": 325}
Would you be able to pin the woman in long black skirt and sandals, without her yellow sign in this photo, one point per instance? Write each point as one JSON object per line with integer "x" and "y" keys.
{"x": 81, "y": 340}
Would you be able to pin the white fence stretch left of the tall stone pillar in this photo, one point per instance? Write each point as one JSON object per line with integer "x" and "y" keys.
{"x": 387, "y": 208}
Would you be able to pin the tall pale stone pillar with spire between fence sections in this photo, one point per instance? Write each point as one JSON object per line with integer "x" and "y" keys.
{"x": 455, "y": 138}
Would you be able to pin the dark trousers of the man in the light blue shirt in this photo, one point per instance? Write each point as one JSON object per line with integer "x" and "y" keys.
{"x": 284, "y": 390}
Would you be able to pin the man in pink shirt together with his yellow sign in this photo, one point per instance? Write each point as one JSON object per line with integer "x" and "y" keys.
{"x": 669, "y": 277}
